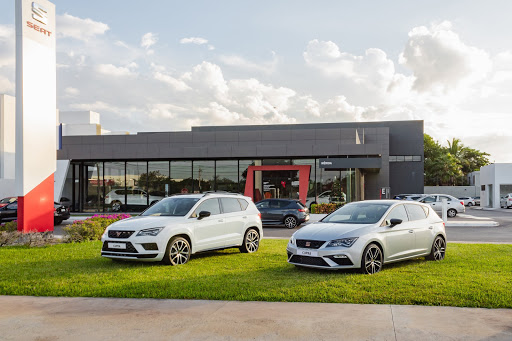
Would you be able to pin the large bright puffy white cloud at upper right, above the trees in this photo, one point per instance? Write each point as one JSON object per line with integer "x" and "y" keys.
{"x": 438, "y": 58}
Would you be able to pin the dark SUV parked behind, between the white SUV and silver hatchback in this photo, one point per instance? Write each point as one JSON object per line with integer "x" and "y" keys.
{"x": 288, "y": 212}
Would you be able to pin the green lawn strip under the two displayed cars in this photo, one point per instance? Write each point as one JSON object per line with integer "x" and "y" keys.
{"x": 472, "y": 275}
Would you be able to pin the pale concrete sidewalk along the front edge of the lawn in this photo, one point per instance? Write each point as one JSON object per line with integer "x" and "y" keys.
{"x": 51, "y": 318}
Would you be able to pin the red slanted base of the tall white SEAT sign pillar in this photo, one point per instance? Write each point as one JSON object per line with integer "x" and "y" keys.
{"x": 35, "y": 209}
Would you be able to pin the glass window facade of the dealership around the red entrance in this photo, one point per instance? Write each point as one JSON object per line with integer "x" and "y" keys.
{"x": 134, "y": 185}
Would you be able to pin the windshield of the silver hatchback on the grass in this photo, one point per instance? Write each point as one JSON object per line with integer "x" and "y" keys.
{"x": 357, "y": 213}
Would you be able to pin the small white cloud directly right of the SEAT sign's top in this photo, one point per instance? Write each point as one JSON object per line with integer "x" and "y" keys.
{"x": 77, "y": 28}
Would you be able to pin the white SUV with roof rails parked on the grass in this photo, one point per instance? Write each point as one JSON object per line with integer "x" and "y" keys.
{"x": 177, "y": 227}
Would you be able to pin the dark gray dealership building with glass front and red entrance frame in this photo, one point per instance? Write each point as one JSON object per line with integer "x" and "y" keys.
{"x": 342, "y": 161}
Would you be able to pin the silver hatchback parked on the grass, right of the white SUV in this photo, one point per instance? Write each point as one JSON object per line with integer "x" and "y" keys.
{"x": 369, "y": 234}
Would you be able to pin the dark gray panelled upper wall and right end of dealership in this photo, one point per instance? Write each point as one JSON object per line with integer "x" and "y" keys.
{"x": 273, "y": 141}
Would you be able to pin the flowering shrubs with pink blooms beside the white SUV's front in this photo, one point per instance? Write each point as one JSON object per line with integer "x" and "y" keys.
{"x": 91, "y": 228}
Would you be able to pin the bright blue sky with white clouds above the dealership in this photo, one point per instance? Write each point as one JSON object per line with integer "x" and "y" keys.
{"x": 168, "y": 65}
